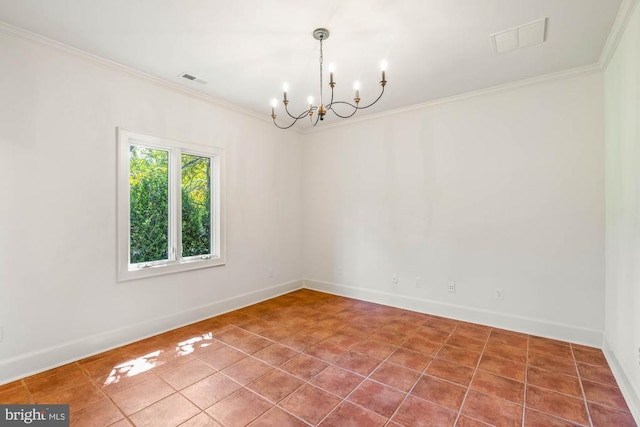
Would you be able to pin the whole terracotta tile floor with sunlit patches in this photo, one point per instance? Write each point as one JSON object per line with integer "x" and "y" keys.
{"x": 308, "y": 358}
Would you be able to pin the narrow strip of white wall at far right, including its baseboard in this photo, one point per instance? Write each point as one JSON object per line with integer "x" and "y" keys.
{"x": 622, "y": 146}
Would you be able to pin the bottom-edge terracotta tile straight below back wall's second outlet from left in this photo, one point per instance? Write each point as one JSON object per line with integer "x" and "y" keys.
{"x": 416, "y": 412}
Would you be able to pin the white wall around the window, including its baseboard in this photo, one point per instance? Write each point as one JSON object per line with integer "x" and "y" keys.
{"x": 59, "y": 298}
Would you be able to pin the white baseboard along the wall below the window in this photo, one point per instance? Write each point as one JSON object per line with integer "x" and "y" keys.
{"x": 31, "y": 363}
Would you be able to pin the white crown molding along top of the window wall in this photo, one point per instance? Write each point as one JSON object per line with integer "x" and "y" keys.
{"x": 107, "y": 63}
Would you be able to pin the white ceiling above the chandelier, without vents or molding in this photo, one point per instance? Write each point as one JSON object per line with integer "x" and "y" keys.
{"x": 247, "y": 49}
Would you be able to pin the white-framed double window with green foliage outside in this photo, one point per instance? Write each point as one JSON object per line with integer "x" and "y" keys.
{"x": 170, "y": 206}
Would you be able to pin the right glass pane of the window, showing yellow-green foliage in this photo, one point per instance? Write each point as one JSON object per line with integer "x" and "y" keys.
{"x": 196, "y": 205}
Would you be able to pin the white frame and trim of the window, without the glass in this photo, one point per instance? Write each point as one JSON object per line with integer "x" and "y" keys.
{"x": 175, "y": 263}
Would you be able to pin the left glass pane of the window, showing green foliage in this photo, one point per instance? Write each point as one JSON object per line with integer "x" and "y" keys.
{"x": 149, "y": 204}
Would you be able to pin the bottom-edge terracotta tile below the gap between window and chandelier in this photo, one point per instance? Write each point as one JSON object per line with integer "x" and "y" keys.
{"x": 239, "y": 409}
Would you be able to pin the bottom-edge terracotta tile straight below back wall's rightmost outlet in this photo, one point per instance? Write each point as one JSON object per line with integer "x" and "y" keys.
{"x": 492, "y": 410}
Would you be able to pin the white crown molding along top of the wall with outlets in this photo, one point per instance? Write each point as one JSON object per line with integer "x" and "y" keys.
{"x": 587, "y": 69}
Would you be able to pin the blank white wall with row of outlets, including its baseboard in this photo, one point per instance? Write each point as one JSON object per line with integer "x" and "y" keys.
{"x": 502, "y": 190}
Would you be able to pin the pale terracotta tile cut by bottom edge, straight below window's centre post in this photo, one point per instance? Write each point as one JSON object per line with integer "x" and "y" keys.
{"x": 169, "y": 411}
